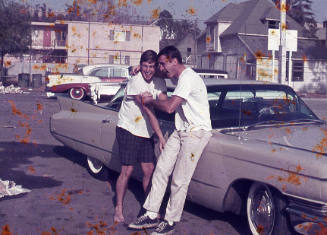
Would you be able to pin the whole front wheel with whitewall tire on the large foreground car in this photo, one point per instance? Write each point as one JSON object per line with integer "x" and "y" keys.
{"x": 265, "y": 211}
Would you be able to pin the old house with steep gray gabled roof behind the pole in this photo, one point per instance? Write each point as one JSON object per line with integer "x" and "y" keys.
{"x": 236, "y": 40}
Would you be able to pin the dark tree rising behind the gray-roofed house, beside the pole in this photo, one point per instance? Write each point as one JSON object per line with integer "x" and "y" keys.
{"x": 301, "y": 12}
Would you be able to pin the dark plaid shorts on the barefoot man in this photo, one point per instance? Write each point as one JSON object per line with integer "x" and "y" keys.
{"x": 134, "y": 149}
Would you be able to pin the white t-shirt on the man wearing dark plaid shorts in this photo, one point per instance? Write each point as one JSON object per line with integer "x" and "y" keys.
{"x": 130, "y": 116}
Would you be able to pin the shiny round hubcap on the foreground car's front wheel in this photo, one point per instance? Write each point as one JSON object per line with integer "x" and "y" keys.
{"x": 262, "y": 212}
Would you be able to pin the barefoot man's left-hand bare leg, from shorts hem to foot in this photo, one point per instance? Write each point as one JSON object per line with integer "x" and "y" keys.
{"x": 121, "y": 187}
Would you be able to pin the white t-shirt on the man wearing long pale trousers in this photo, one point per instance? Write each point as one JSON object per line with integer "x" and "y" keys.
{"x": 193, "y": 114}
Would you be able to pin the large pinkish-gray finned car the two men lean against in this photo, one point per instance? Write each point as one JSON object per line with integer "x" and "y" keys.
{"x": 266, "y": 158}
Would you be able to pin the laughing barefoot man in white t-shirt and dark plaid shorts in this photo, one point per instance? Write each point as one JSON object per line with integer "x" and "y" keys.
{"x": 136, "y": 124}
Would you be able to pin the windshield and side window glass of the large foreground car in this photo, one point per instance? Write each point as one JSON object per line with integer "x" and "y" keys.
{"x": 250, "y": 105}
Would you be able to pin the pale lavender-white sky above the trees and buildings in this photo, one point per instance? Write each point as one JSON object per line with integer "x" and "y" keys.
{"x": 203, "y": 8}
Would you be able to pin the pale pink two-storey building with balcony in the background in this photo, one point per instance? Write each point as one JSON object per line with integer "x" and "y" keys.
{"x": 60, "y": 45}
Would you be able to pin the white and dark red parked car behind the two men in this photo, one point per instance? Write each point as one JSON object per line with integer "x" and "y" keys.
{"x": 77, "y": 85}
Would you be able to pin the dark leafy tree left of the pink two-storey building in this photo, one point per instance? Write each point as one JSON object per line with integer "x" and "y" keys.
{"x": 15, "y": 33}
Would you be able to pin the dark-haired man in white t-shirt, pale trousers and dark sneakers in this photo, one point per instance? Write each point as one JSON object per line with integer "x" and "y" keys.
{"x": 185, "y": 145}
